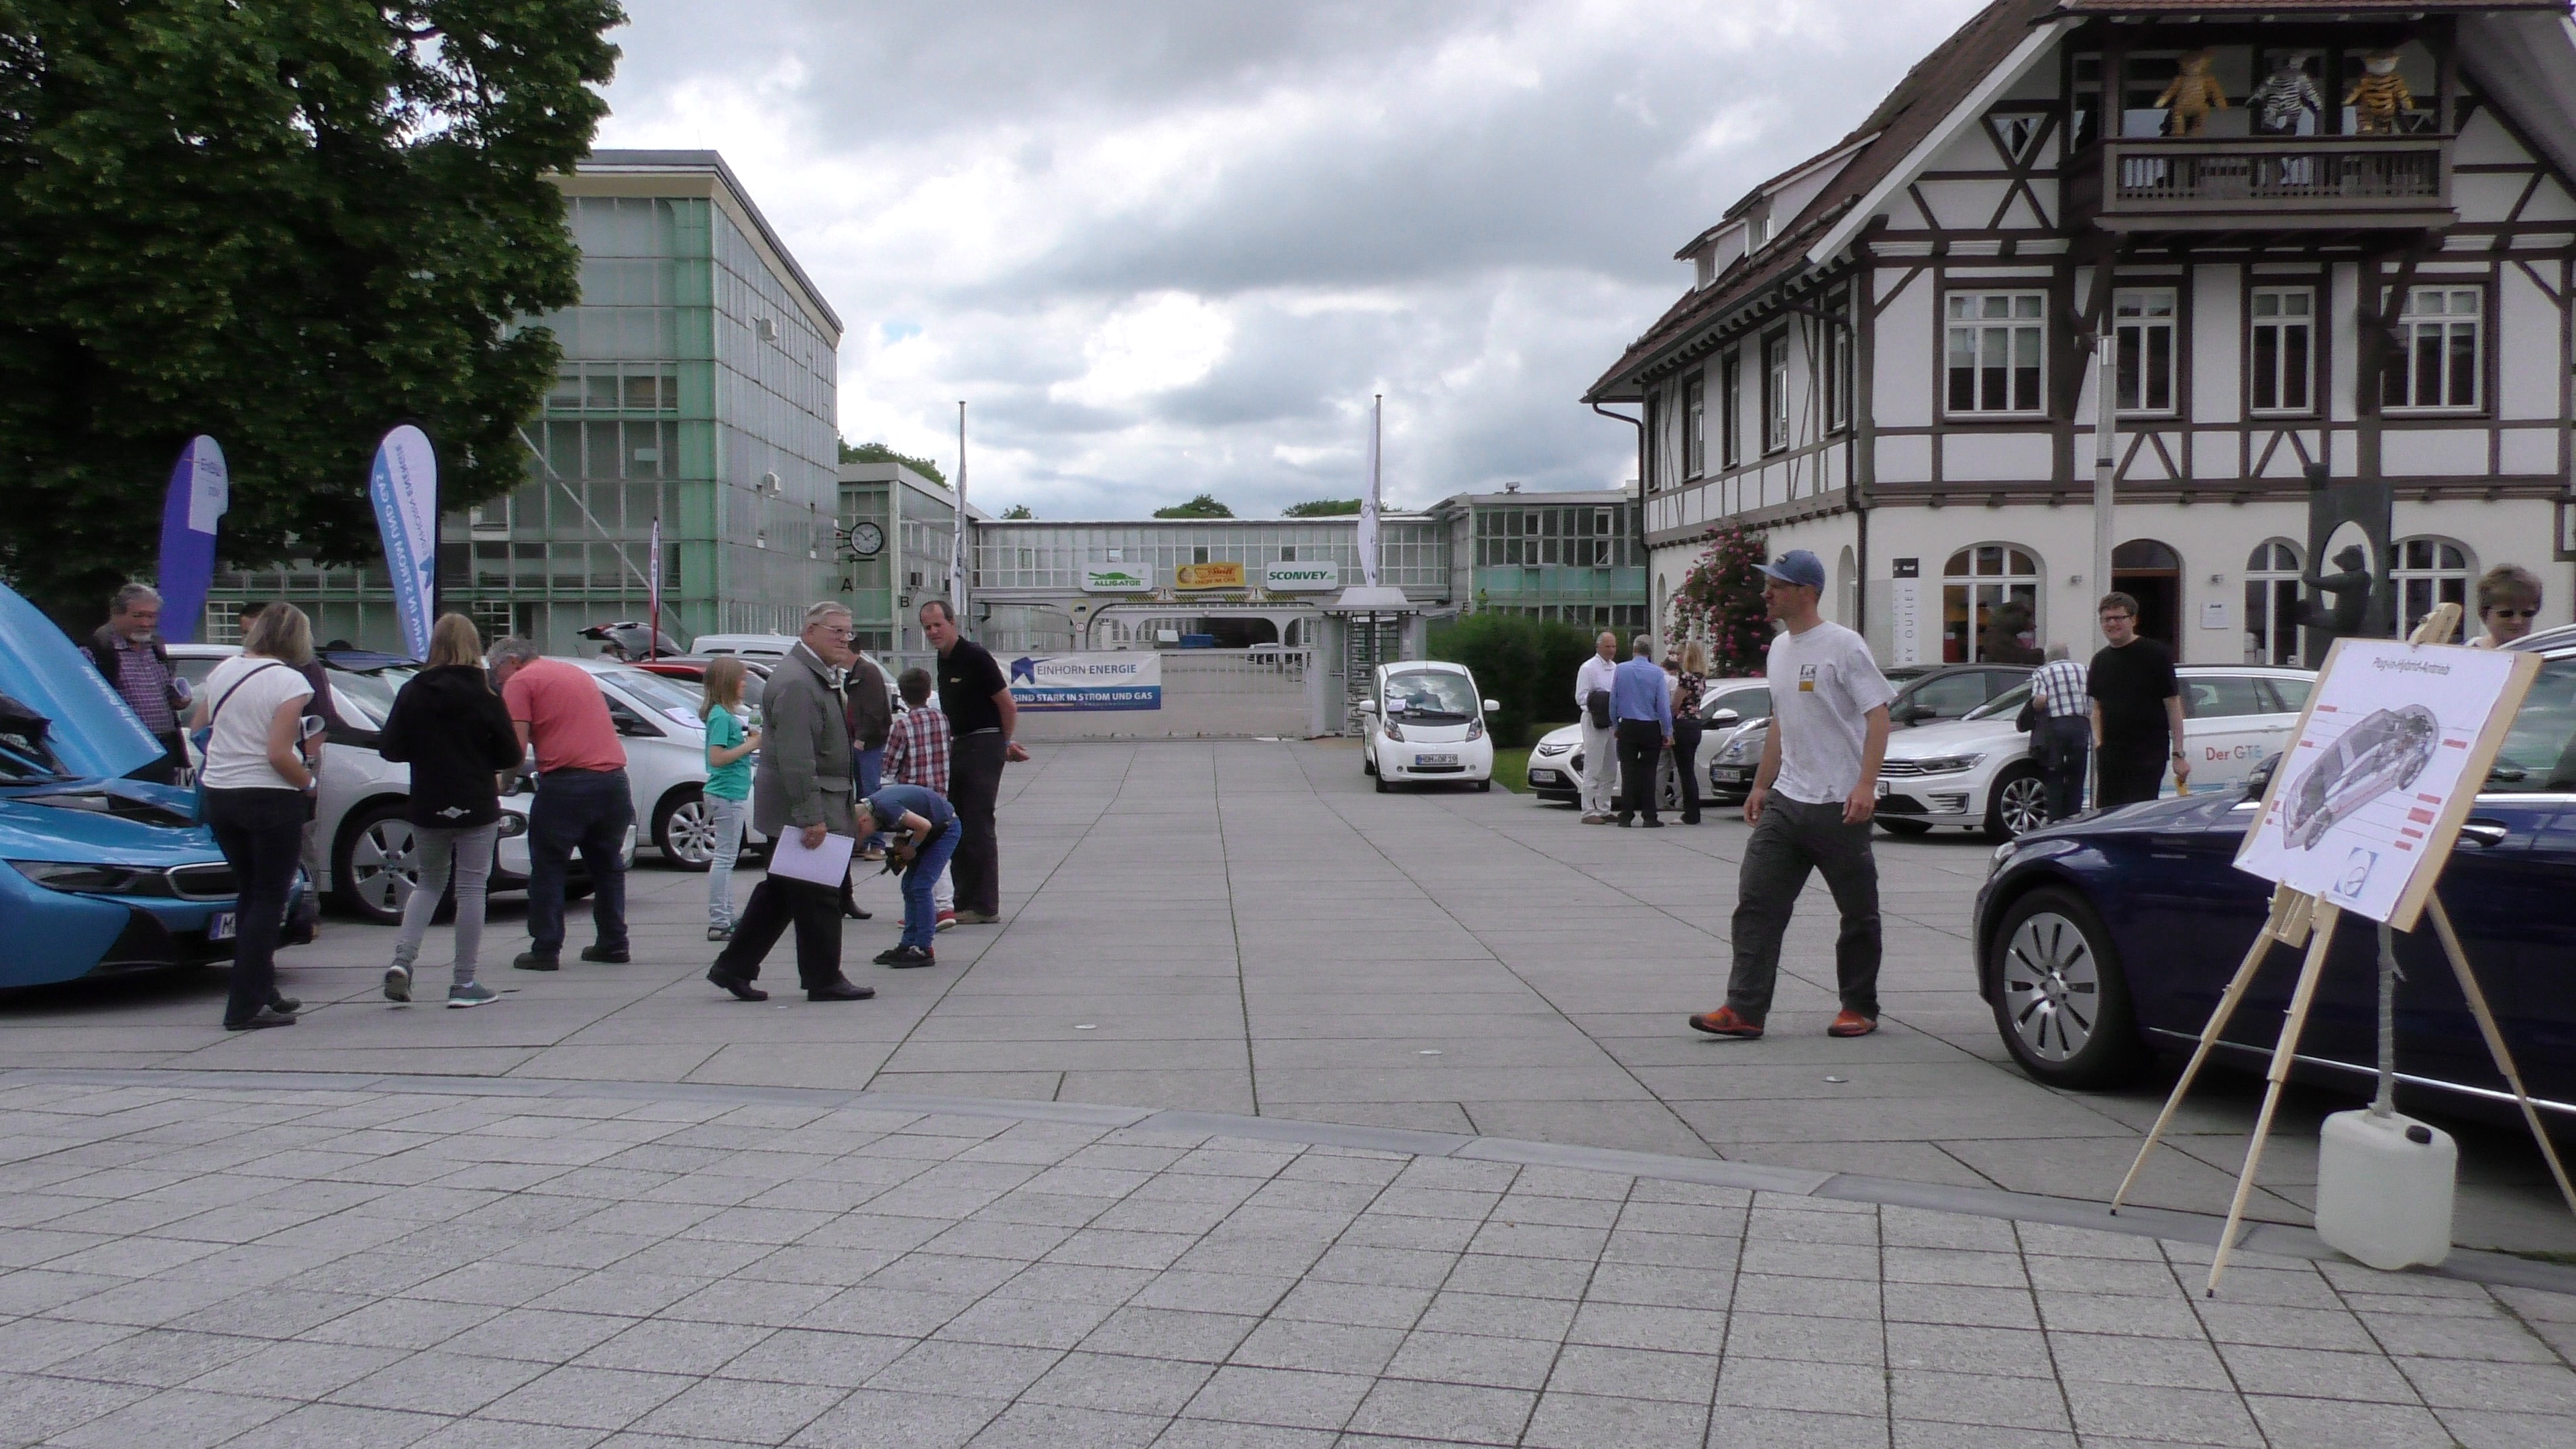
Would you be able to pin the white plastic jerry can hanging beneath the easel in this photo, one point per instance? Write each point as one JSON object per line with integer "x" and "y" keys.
{"x": 2384, "y": 1190}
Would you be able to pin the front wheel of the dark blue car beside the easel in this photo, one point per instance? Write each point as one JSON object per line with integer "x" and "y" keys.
{"x": 2060, "y": 994}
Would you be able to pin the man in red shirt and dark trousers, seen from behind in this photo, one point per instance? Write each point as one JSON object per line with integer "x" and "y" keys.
{"x": 581, "y": 801}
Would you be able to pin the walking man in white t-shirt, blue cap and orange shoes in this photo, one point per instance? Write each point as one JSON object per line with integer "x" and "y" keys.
{"x": 1812, "y": 806}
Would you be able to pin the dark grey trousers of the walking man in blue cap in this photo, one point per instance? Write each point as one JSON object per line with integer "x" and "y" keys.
{"x": 1789, "y": 842}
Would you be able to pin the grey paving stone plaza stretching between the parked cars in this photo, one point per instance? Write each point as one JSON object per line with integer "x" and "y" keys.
{"x": 1276, "y": 1113}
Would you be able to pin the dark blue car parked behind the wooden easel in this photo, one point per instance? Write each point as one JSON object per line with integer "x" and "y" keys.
{"x": 2108, "y": 937}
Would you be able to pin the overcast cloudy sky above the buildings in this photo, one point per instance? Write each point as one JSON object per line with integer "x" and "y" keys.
{"x": 1171, "y": 249}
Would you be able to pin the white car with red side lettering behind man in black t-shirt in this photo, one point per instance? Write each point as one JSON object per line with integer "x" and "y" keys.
{"x": 1980, "y": 775}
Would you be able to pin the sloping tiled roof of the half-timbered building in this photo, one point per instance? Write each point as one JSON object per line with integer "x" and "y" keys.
{"x": 1900, "y": 122}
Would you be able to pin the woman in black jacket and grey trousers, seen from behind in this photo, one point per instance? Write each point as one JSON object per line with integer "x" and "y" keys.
{"x": 457, "y": 736}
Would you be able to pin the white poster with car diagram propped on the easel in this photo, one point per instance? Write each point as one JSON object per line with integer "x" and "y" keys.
{"x": 2382, "y": 770}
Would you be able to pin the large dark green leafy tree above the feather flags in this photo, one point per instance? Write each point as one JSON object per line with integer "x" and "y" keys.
{"x": 282, "y": 226}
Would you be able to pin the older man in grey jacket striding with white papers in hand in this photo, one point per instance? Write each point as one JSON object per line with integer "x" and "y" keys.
{"x": 800, "y": 785}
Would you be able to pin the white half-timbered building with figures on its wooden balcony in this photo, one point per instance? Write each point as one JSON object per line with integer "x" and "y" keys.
{"x": 2320, "y": 233}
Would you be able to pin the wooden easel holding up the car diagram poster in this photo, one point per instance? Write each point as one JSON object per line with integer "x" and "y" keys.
{"x": 2302, "y": 919}
